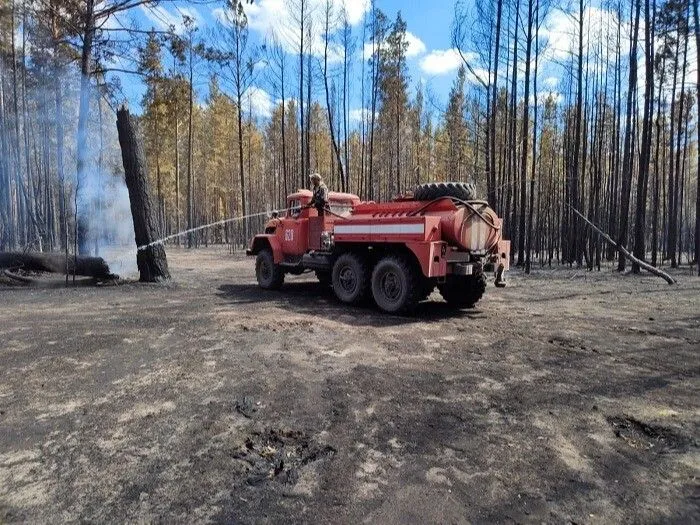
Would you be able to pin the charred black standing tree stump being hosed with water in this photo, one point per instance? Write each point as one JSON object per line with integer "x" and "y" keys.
{"x": 151, "y": 260}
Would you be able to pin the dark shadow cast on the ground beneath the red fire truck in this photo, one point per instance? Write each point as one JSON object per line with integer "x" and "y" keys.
{"x": 312, "y": 298}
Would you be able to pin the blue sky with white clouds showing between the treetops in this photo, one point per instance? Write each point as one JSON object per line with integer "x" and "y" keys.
{"x": 431, "y": 59}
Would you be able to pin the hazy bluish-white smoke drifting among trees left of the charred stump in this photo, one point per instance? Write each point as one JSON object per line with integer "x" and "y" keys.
{"x": 39, "y": 156}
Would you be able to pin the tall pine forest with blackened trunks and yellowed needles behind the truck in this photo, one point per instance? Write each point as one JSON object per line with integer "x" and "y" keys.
{"x": 617, "y": 140}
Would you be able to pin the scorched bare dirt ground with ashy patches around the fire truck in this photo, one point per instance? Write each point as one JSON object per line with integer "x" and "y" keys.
{"x": 566, "y": 397}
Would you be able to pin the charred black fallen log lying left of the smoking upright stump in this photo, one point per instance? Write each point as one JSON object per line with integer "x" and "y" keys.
{"x": 56, "y": 263}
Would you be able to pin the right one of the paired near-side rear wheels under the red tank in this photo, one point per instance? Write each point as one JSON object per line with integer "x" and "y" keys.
{"x": 395, "y": 285}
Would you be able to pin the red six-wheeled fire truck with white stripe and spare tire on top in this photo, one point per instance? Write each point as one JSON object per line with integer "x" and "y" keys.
{"x": 397, "y": 252}
